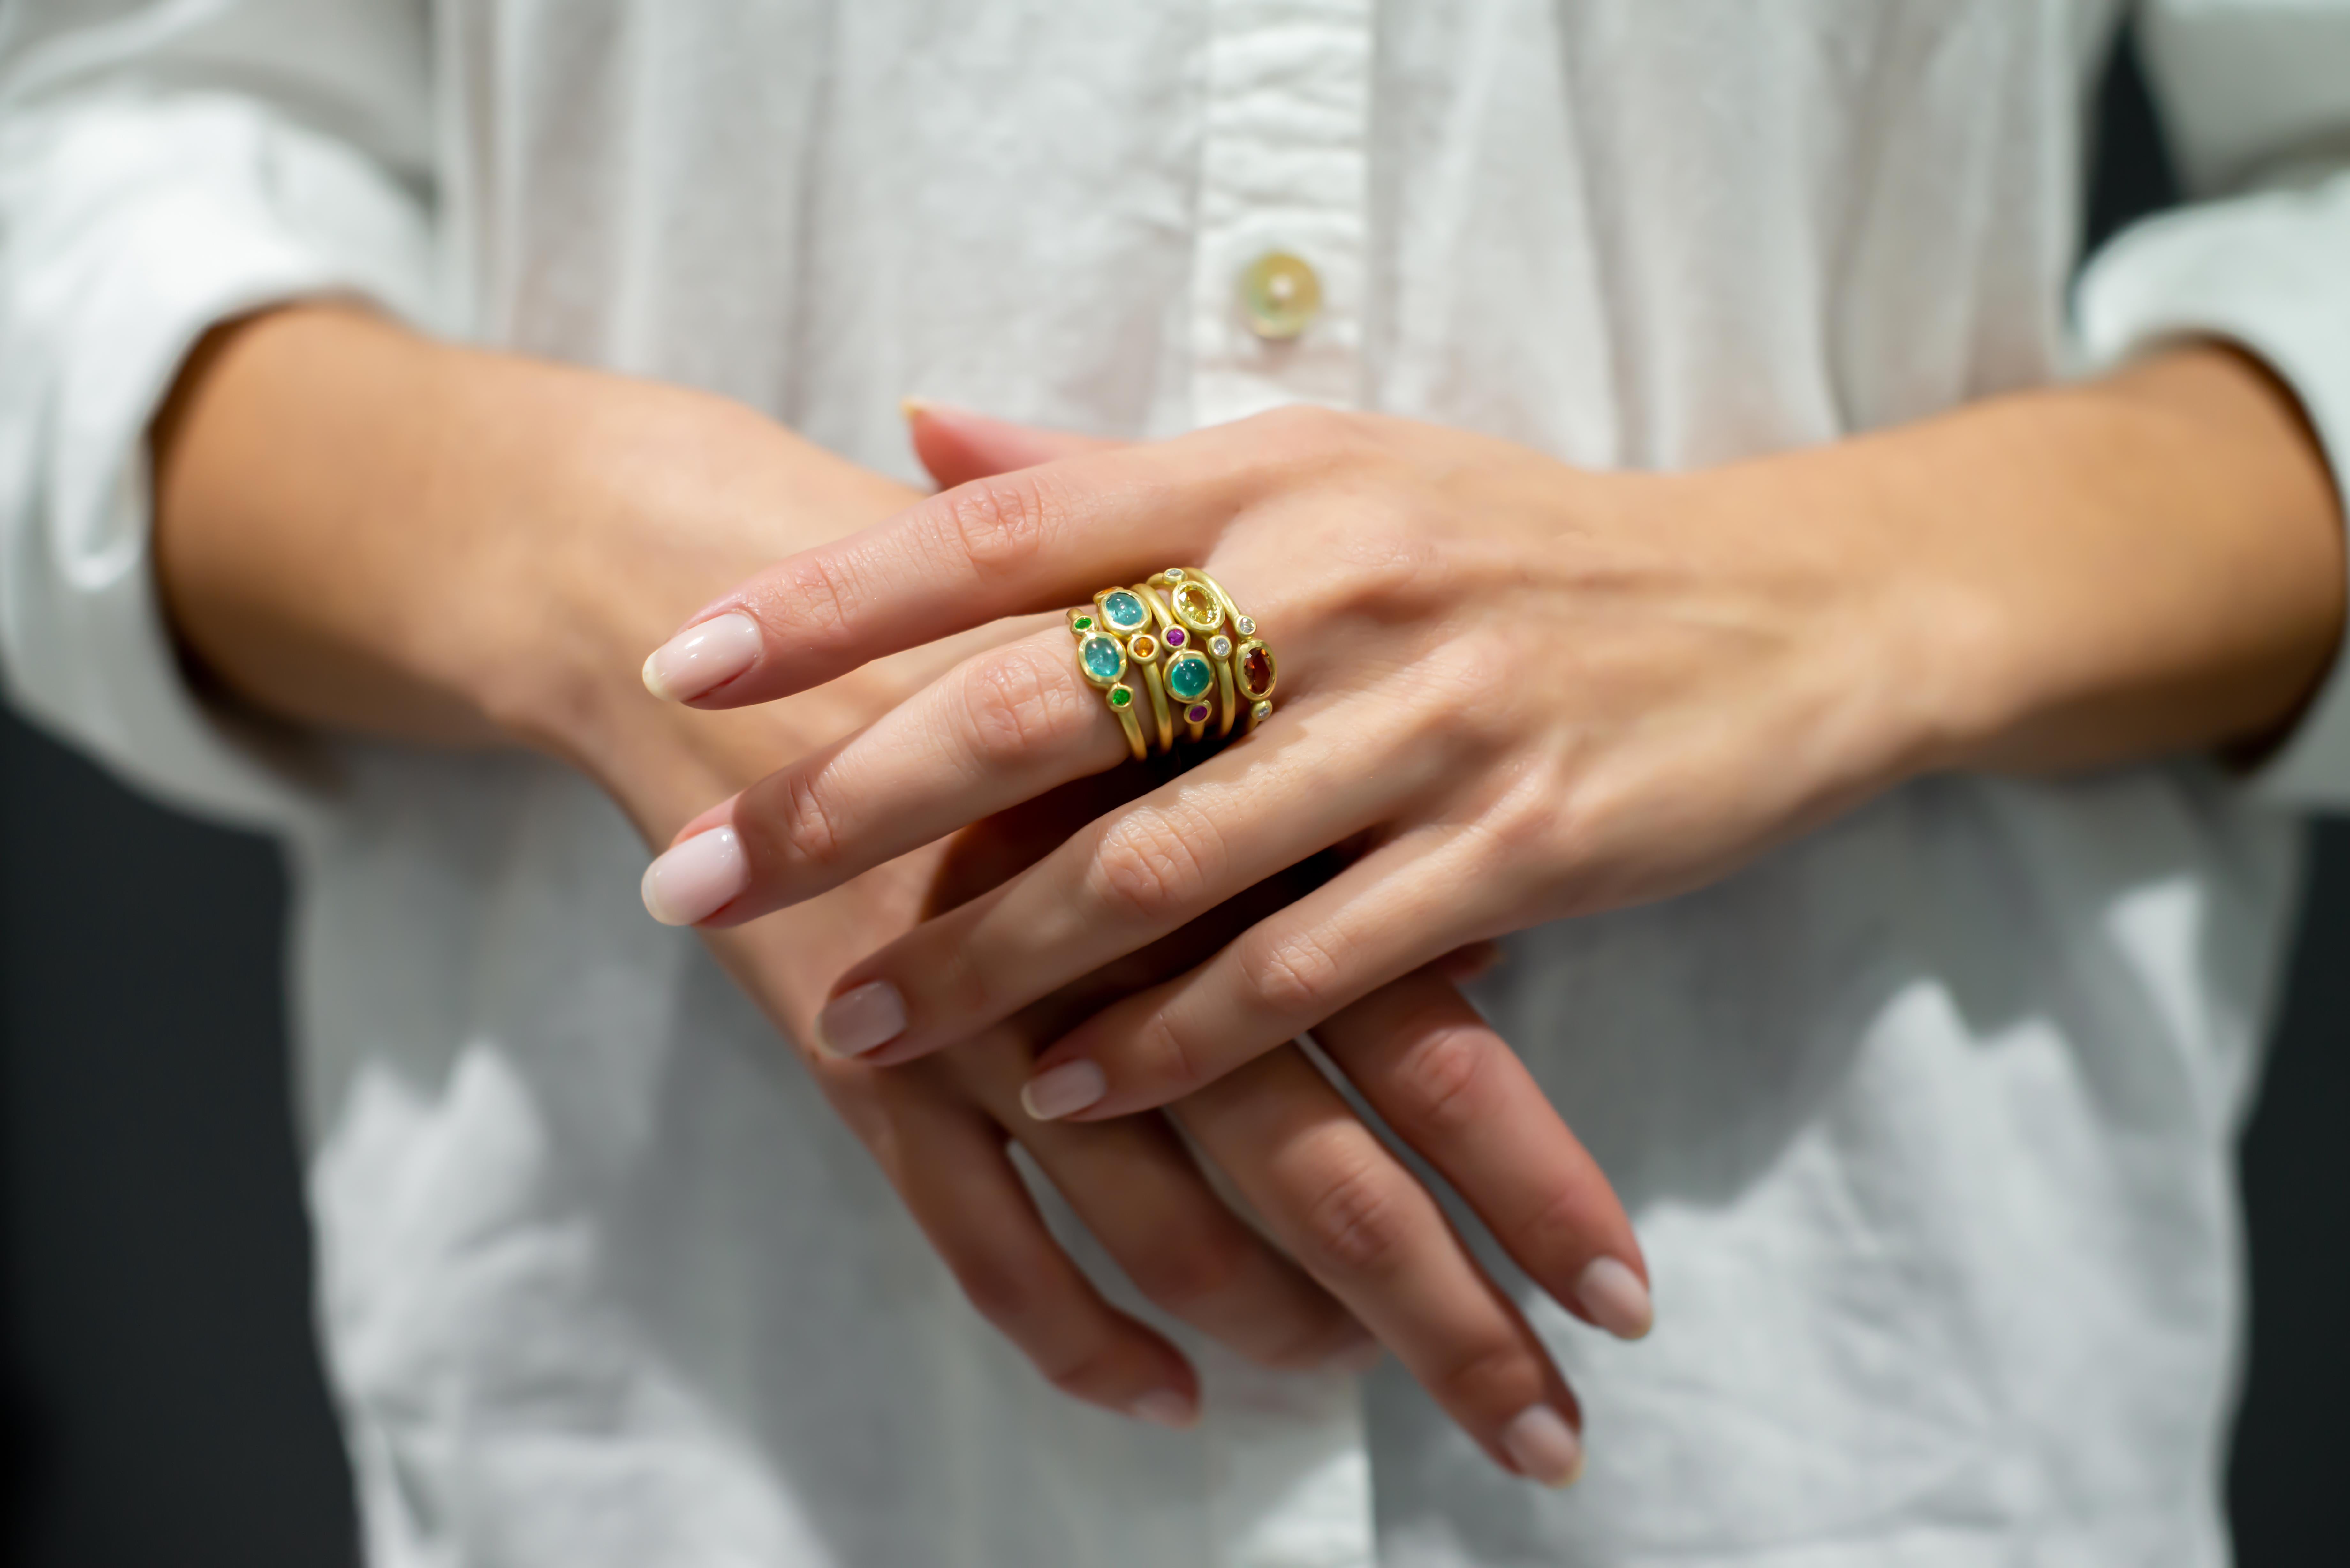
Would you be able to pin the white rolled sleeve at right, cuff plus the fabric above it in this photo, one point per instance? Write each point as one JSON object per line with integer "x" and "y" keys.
{"x": 2257, "y": 102}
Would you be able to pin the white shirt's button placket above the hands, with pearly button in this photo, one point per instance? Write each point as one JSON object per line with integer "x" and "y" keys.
{"x": 1280, "y": 264}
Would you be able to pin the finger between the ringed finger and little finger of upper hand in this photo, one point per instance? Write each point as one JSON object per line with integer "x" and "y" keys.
{"x": 1124, "y": 883}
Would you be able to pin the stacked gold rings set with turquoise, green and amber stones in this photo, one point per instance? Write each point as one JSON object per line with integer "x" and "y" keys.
{"x": 1200, "y": 659}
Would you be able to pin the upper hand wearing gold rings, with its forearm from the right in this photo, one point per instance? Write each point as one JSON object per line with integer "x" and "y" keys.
{"x": 1512, "y": 690}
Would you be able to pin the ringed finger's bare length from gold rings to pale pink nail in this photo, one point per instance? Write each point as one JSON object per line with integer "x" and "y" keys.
{"x": 998, "y": 730}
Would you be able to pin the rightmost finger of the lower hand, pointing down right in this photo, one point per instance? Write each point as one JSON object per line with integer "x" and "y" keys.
{"x": 1463, "y": 1099}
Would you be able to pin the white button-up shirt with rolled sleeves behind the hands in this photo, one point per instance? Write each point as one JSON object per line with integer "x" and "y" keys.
{"x": 1926, "y": 1120}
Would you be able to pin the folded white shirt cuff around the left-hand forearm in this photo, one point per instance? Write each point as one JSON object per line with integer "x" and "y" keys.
{"x": 130, "y": 229}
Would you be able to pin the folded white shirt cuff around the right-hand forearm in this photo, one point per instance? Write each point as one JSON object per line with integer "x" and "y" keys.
{"x": 2269, "y": 274}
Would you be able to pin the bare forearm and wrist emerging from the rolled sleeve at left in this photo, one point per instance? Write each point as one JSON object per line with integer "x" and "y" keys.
{"x": 365, "y": 530}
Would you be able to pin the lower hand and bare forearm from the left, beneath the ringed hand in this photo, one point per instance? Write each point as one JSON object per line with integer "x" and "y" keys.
{"x": 370, "y": 532}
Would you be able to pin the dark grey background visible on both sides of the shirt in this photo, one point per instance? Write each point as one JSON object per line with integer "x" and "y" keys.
{"x": 159, "y": 1386}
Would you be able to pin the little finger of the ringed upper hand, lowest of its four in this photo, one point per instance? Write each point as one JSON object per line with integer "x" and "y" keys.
{"x": 1383, "y": 918}
